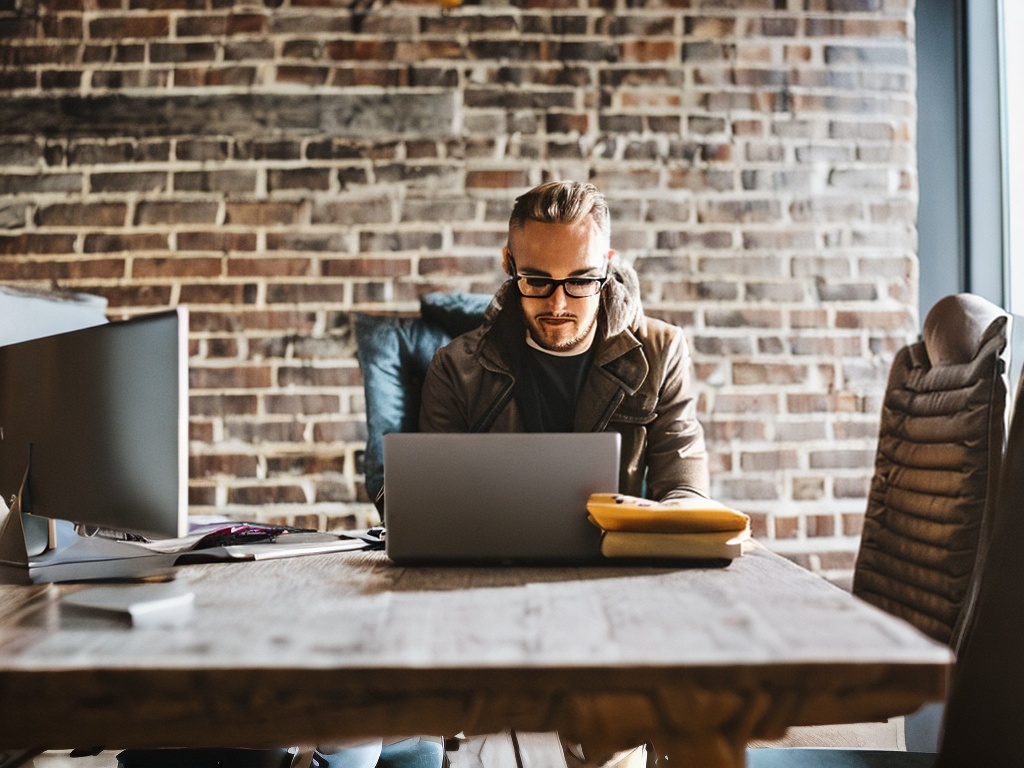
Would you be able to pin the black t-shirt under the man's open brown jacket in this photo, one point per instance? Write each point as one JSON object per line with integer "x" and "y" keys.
{"x": 547, "y": 389}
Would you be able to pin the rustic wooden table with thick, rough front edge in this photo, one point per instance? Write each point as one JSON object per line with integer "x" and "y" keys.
{"x": 697, "y": 661}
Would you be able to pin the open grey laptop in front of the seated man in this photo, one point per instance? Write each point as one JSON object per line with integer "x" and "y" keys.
{"x": 457, "y": 498}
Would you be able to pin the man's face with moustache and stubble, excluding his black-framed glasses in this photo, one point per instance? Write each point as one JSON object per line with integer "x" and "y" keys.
{"x": 560, "y": 323}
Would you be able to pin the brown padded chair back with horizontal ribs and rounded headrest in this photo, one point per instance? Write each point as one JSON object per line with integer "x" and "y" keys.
{"x": 941, "y": 444}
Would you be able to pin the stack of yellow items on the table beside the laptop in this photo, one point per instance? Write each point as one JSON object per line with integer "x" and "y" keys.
{"x": 681, "y": 529}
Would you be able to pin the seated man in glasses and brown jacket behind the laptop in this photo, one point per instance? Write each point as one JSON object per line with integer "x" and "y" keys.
{"x": 566, "y": 347}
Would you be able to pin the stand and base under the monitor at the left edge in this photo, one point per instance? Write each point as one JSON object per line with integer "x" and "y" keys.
{"x": 41, "y": 550}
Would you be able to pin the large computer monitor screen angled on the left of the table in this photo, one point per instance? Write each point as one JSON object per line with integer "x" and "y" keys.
{"x": 98, "y": 418}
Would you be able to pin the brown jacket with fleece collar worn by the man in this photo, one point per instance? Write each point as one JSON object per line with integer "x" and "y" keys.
{"x": 638, "y": 387}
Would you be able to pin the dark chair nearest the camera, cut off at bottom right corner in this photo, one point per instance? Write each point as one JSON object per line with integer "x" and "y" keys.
{"x": 983, "y": 728}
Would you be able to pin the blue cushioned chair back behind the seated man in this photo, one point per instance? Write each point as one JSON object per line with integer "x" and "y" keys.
{"x": 395, "y": 354}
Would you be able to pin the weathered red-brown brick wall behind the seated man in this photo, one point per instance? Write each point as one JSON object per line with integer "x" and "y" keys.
{"x": 280, "y": 165}
